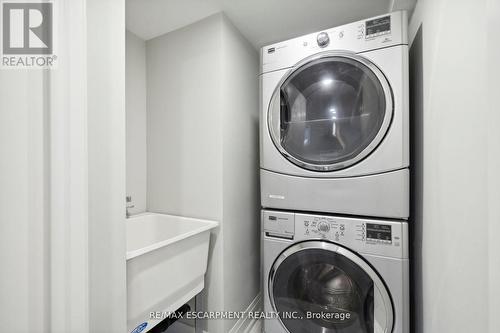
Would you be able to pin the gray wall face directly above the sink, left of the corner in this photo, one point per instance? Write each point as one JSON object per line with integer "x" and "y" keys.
{"x": 184, "y": 121}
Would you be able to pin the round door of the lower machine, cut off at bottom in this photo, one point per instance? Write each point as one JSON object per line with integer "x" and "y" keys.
{"x": 320, "y": 287}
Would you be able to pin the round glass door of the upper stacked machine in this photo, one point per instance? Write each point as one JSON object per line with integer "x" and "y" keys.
{"x": 330, "y": 111}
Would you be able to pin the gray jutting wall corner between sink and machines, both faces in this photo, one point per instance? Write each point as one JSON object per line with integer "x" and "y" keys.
{"x": 202, "y": 95}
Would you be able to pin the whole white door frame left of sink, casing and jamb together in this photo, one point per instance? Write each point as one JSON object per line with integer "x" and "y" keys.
{"x": 86, "y": 133}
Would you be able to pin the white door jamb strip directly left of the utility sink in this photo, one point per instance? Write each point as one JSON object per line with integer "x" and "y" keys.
{"x": 105, "y": 56}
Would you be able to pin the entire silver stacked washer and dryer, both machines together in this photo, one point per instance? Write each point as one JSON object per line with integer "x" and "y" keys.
{"x": 335, "y": 179}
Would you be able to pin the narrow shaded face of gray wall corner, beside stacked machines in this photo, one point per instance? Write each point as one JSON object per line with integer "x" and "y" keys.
{"x": 240, "y": 166}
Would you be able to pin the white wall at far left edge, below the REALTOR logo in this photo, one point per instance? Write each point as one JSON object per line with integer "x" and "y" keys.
{"x": 24, "y": 224}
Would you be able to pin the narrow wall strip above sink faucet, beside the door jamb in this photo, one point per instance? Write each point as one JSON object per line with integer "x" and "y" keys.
{"x": 135, "y": 69}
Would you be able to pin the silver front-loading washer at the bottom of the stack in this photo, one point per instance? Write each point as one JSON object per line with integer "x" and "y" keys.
{"x": 330, "y": 274}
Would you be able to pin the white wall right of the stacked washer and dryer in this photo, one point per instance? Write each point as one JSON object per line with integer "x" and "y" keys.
{"x": 455, "y": 206}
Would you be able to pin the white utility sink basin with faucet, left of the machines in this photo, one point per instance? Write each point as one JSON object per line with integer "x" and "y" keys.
{"x": 166, "y": 264}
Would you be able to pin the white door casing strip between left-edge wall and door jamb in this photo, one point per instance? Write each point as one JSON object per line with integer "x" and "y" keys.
{"x": 69, "y": 285}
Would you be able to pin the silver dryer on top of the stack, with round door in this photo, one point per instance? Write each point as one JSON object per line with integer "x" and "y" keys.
{"x": 335, "y": 122}
